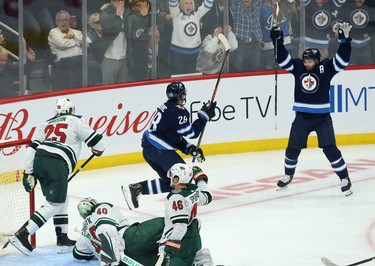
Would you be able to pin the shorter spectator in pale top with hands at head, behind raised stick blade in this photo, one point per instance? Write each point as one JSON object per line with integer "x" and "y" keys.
{"x": 211, "y": 56}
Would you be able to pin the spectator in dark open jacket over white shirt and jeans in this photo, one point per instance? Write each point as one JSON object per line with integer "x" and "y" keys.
{"x": 111, "y": 50}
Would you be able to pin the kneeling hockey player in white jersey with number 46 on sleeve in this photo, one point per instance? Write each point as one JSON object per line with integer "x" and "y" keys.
{"x": 181, "y": 242}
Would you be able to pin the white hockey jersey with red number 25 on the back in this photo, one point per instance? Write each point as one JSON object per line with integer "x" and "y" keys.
{"x": 63, "y": 135}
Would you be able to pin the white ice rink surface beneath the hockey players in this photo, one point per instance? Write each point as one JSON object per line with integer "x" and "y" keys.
{"x": 249, "y": 223}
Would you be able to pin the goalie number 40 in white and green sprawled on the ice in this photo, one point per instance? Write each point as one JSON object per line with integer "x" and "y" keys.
{"x": 108, "y": 236}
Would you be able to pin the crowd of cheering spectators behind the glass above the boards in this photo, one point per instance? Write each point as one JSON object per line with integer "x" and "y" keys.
{"x": 124, "y": 36}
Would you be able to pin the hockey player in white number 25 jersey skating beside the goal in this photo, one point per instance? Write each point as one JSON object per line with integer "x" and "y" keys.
{"x": 50, "y": 159}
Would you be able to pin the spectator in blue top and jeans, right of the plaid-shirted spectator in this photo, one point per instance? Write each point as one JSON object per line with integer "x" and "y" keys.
{"x": 268, "y": 19}
